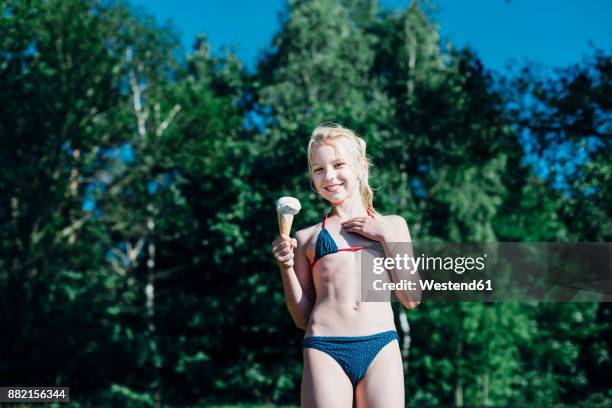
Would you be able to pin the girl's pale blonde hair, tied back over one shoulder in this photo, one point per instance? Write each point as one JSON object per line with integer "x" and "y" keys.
{"x": 331, "y": 134}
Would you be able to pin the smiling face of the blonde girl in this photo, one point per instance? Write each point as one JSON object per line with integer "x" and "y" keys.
{"x": 331, "y": 173}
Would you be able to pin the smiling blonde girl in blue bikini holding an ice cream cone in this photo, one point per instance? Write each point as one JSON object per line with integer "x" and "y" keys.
{"x": 350, "y": 347}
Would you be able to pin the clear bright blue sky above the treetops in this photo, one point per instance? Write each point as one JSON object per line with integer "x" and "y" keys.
{"x": 553, "y": 33}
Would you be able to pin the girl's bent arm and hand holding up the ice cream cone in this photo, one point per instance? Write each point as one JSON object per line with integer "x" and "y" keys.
{"x": 297, "y": 280}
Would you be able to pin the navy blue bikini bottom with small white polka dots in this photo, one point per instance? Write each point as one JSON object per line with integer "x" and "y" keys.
{"x": 353, "y": 353}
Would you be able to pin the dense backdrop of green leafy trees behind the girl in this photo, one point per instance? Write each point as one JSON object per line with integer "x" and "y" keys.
{"x": 137, "y": 190}
